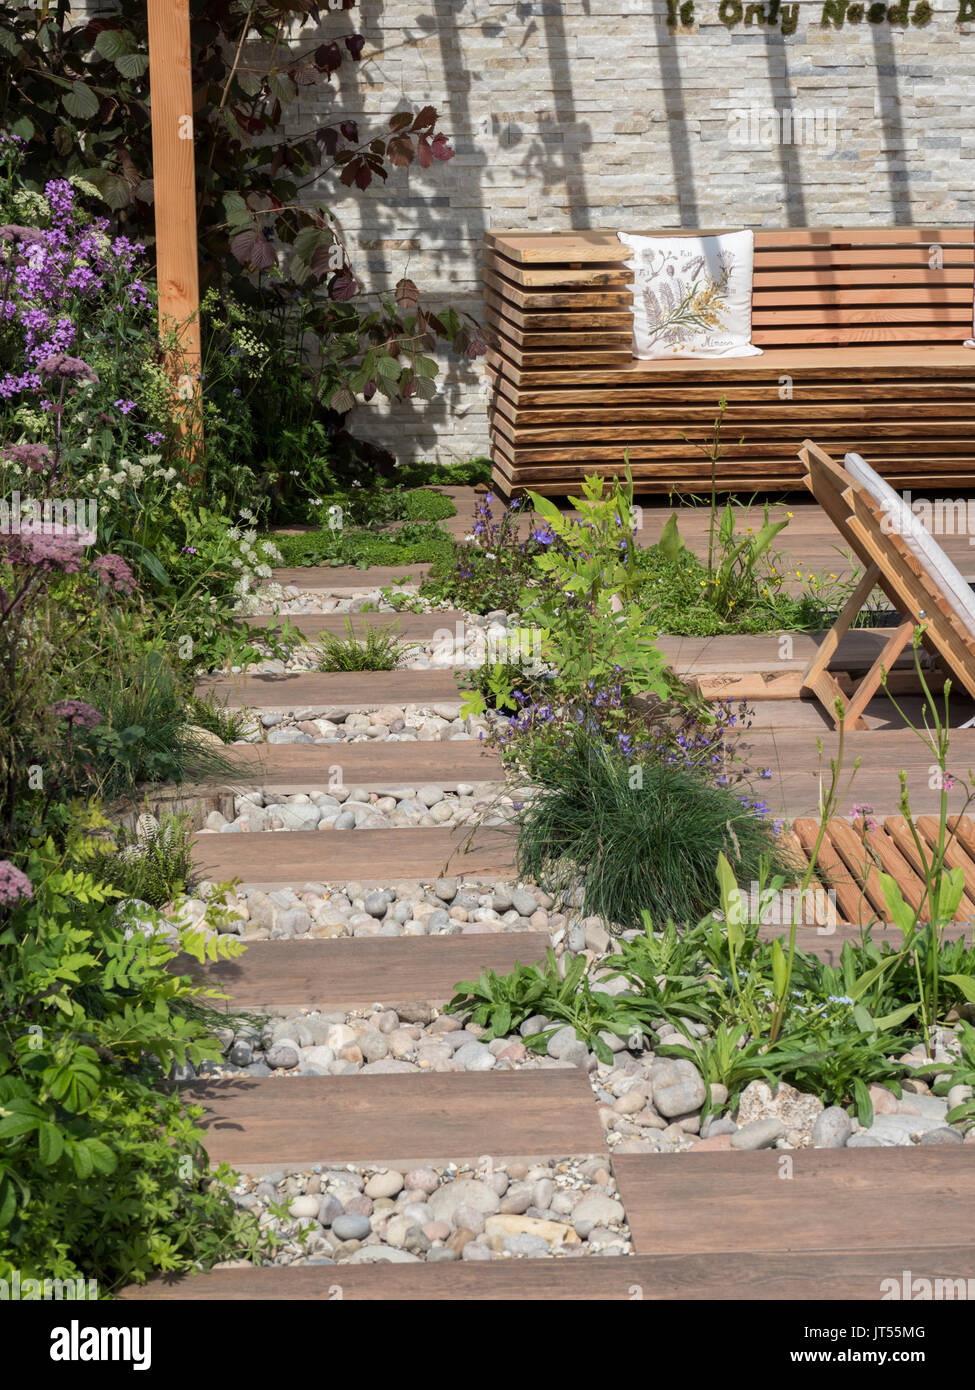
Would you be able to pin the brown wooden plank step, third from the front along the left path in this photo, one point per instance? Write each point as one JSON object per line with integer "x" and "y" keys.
{"x": 357, "y": 972}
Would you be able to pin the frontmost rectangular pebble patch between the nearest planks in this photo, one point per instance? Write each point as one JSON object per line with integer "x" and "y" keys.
{"x": 364, "y": 1216}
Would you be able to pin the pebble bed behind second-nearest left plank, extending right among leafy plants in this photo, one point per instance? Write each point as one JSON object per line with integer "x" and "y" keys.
{"x": 647, "y": 1103}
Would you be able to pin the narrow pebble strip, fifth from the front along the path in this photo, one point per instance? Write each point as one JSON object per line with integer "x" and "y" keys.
{"x": 387, "y": 723}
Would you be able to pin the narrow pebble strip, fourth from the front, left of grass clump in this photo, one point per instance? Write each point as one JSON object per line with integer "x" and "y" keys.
{"x": 354, "y": 808}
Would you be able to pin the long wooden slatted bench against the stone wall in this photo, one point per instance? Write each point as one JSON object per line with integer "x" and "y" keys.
{"x": 863, "y": 338}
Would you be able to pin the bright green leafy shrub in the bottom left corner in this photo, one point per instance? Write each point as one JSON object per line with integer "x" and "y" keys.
{"x": 102, "y": 1174}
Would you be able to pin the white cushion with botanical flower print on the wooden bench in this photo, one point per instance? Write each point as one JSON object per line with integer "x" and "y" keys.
{"x": 692, "y": 295}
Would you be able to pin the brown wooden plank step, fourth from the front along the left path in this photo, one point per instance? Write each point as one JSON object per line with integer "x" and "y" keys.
{"x": 269, "y": 860}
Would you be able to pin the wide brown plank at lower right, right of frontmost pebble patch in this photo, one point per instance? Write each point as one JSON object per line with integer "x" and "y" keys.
{"x": 713, "y": 1204}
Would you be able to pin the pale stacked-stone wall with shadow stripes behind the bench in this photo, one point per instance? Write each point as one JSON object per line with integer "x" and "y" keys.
{"x": 602, "y": 113}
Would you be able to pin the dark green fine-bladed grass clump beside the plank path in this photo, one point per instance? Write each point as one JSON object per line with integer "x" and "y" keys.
{"x": 639, "y": 837}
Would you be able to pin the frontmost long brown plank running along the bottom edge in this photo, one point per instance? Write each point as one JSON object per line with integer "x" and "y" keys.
{"x": 741, "y": 1275}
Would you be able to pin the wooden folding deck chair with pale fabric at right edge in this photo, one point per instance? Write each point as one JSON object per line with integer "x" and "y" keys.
{"x": 906, "y": 564}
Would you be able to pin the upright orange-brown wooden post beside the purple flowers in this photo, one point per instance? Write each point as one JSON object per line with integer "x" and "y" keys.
{"x": 175, "y": 193}
